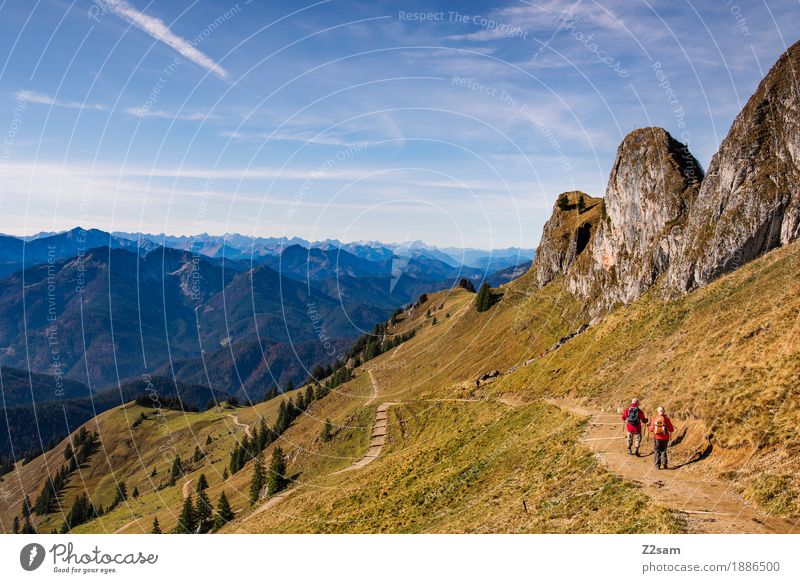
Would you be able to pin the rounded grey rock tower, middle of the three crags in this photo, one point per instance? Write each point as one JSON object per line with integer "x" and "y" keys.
{"x": 653, "y": 183}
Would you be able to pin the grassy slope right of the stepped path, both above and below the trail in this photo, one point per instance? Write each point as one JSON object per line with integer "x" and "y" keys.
{"x": 722, "y": 360}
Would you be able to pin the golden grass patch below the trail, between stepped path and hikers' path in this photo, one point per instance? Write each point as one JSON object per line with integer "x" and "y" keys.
{"x": 467, "y": 467}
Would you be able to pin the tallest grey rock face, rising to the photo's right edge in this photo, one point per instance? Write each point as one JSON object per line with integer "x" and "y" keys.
{"x": 749, "y": 202}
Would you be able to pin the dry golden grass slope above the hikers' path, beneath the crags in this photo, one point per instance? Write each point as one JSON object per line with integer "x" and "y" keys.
{"x": 723, "y": 360}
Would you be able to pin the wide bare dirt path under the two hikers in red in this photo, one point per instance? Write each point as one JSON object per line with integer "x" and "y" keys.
{"x": 709, "y": 505}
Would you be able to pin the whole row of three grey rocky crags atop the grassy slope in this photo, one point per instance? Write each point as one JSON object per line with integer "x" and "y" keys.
{"x": 662, "y": 223}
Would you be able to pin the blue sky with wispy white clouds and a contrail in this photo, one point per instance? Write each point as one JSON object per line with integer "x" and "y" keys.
{"x": 457, "y": 123}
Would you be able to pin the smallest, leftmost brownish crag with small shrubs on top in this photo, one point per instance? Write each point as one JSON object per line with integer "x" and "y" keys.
{"x": 566, "y": 235}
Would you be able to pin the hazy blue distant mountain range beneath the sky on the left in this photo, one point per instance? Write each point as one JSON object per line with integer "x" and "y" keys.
{"x": 90, "y": 311}
